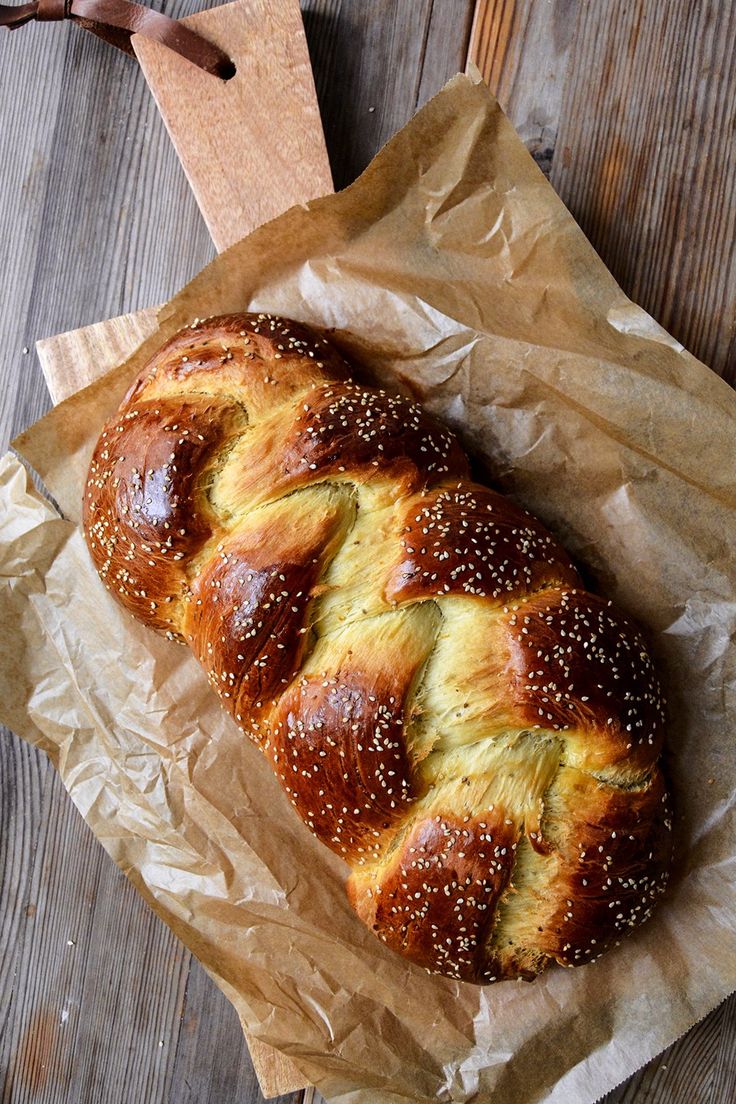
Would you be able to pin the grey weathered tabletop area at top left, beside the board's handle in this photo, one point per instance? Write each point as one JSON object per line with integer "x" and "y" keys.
{"x": 83, "y": 158}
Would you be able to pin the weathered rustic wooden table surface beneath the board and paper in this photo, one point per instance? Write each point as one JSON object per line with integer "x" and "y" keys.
{"x": 631, "y": 109}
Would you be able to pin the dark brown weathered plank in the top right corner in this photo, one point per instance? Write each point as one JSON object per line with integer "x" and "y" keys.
{"x": 647, "y": 164}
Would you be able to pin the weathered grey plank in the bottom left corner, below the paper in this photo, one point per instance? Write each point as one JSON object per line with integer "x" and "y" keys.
{"x": 66, "y": 909}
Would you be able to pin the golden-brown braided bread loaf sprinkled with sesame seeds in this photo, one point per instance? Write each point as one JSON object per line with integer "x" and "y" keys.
{"x": 445, "y": 705}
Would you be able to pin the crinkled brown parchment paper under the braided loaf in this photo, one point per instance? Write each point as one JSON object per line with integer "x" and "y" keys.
{"x": 453, "y": 268}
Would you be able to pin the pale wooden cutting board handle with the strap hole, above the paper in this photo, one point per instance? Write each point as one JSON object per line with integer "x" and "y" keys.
{"x": 252, "y": 147}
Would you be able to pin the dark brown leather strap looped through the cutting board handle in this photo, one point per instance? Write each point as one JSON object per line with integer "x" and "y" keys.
{"x": 115, "y": 22}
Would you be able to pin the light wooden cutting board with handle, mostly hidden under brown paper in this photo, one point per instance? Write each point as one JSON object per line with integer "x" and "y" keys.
{"x": 251, "y": 148}
